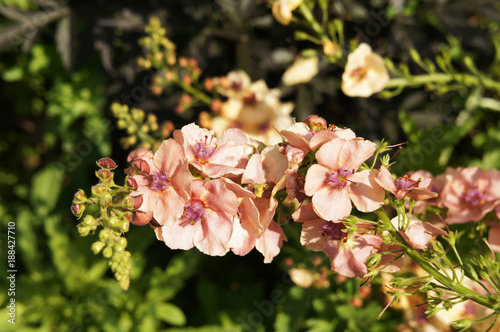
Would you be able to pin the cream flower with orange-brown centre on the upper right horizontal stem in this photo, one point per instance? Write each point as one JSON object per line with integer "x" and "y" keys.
{"x": 365, "y": 73}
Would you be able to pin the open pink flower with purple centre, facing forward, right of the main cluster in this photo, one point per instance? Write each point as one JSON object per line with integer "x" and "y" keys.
{"x": 333, "y": 183}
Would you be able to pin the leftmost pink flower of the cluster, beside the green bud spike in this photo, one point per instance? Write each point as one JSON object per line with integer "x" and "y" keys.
{"x": 163, "y": 182}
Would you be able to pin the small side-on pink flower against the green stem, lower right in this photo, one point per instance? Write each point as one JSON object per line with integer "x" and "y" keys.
{"x": 417, "y": 233}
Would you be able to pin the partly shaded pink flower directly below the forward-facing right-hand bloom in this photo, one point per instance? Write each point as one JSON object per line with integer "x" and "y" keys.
{"x": 348, "y": 254}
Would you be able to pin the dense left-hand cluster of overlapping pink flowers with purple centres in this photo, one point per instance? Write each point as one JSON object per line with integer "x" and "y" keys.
{"x": 213, "y": 194}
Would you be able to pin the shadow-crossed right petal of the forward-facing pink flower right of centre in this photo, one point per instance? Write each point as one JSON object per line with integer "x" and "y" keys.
{"x": 365, "y": 193}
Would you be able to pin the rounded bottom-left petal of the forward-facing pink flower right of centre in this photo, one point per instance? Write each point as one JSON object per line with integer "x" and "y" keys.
{"x": 332, "y": 204}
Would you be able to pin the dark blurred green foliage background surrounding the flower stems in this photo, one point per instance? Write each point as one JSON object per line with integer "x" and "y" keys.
{"x": 63, "y": 63}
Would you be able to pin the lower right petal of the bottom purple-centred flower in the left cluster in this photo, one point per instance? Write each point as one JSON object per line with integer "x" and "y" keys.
{"x": 214, "y": 234}
